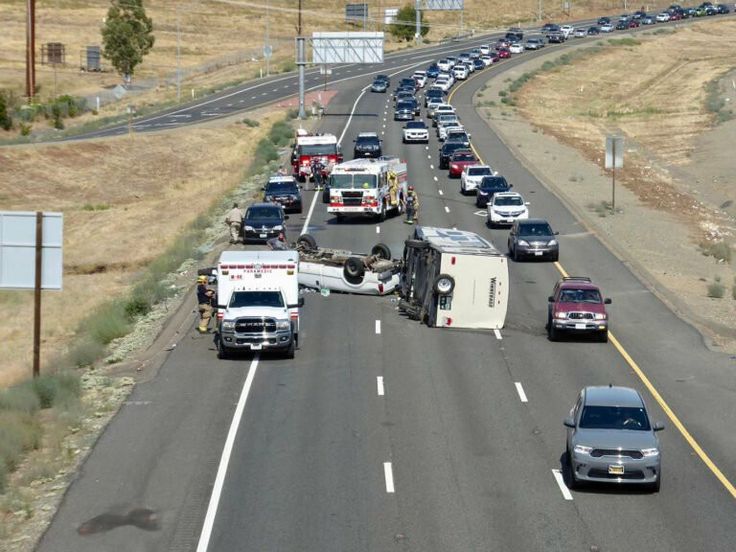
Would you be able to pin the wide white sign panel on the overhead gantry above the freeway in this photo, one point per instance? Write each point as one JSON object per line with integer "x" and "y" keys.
{"x": 330, "y": 48}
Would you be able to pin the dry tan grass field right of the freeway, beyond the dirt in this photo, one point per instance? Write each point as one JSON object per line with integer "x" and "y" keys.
{"x": 652, "y": 93}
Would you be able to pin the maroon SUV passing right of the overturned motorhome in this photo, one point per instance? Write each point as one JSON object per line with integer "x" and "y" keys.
{"x": 576, "y": 306}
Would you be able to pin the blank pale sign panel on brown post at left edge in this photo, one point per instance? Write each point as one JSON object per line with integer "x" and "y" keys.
{"x": 18, "y": 250}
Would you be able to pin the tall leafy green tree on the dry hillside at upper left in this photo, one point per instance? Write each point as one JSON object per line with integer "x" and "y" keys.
{"x": 127, "y": 35}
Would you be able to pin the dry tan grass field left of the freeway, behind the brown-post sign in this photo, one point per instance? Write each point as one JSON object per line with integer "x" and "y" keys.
{"x": 153, "y": 185}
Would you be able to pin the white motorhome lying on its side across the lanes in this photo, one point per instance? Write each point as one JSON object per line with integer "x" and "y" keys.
{"x": 454, "y": 279}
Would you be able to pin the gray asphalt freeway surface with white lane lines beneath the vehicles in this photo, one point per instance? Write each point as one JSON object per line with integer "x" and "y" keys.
{"x": 384, "y": 434}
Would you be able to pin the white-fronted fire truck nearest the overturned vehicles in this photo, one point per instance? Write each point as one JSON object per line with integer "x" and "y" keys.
{"x": 371, "y": 187}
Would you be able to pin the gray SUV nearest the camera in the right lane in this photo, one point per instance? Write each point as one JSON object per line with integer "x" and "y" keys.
{"x": 610, "y": 439}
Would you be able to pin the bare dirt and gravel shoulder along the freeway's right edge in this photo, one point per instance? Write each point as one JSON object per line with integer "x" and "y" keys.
{"x": 678, "y": 273}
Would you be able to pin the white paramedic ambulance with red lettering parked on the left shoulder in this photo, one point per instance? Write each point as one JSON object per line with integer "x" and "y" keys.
{"x": 258, "y": 302}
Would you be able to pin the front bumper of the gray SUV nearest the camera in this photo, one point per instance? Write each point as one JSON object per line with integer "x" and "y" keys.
{"x": 599, "y": 470}
